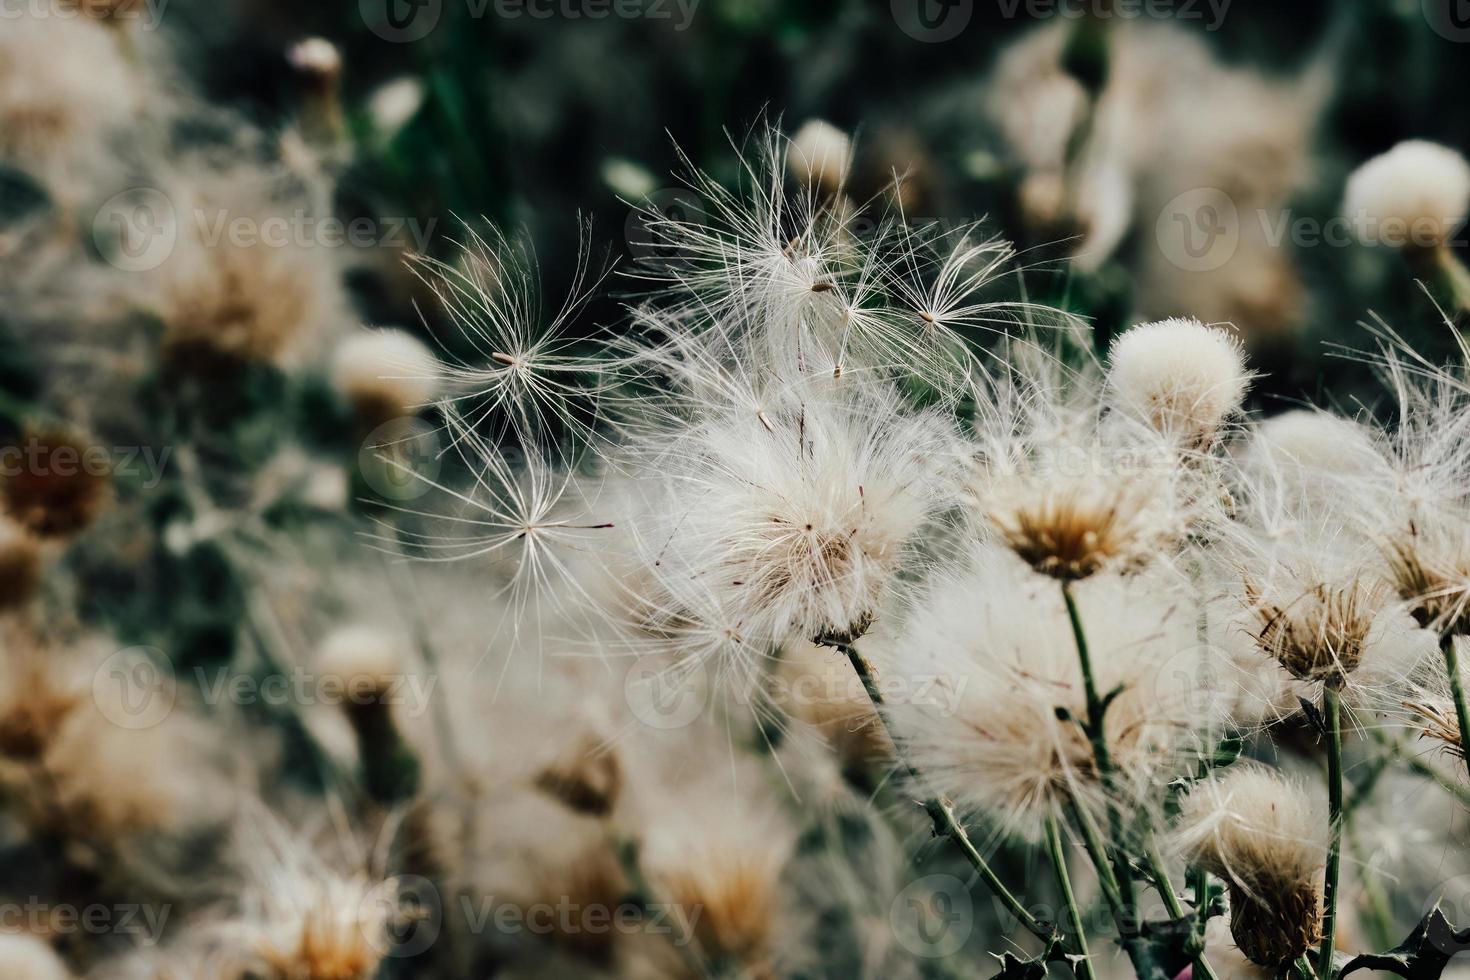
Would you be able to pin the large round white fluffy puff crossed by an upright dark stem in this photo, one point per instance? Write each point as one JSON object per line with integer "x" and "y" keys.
{"x": 999, "y": 694}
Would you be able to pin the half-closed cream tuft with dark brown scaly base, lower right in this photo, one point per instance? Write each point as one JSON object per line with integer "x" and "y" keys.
{"x": 1268, "y": 840}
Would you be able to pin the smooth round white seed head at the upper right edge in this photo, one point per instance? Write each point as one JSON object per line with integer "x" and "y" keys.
{"x": 1413, "y": 196}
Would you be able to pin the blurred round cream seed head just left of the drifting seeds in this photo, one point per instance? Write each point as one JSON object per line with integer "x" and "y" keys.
{"x": 386, "y": 374}
